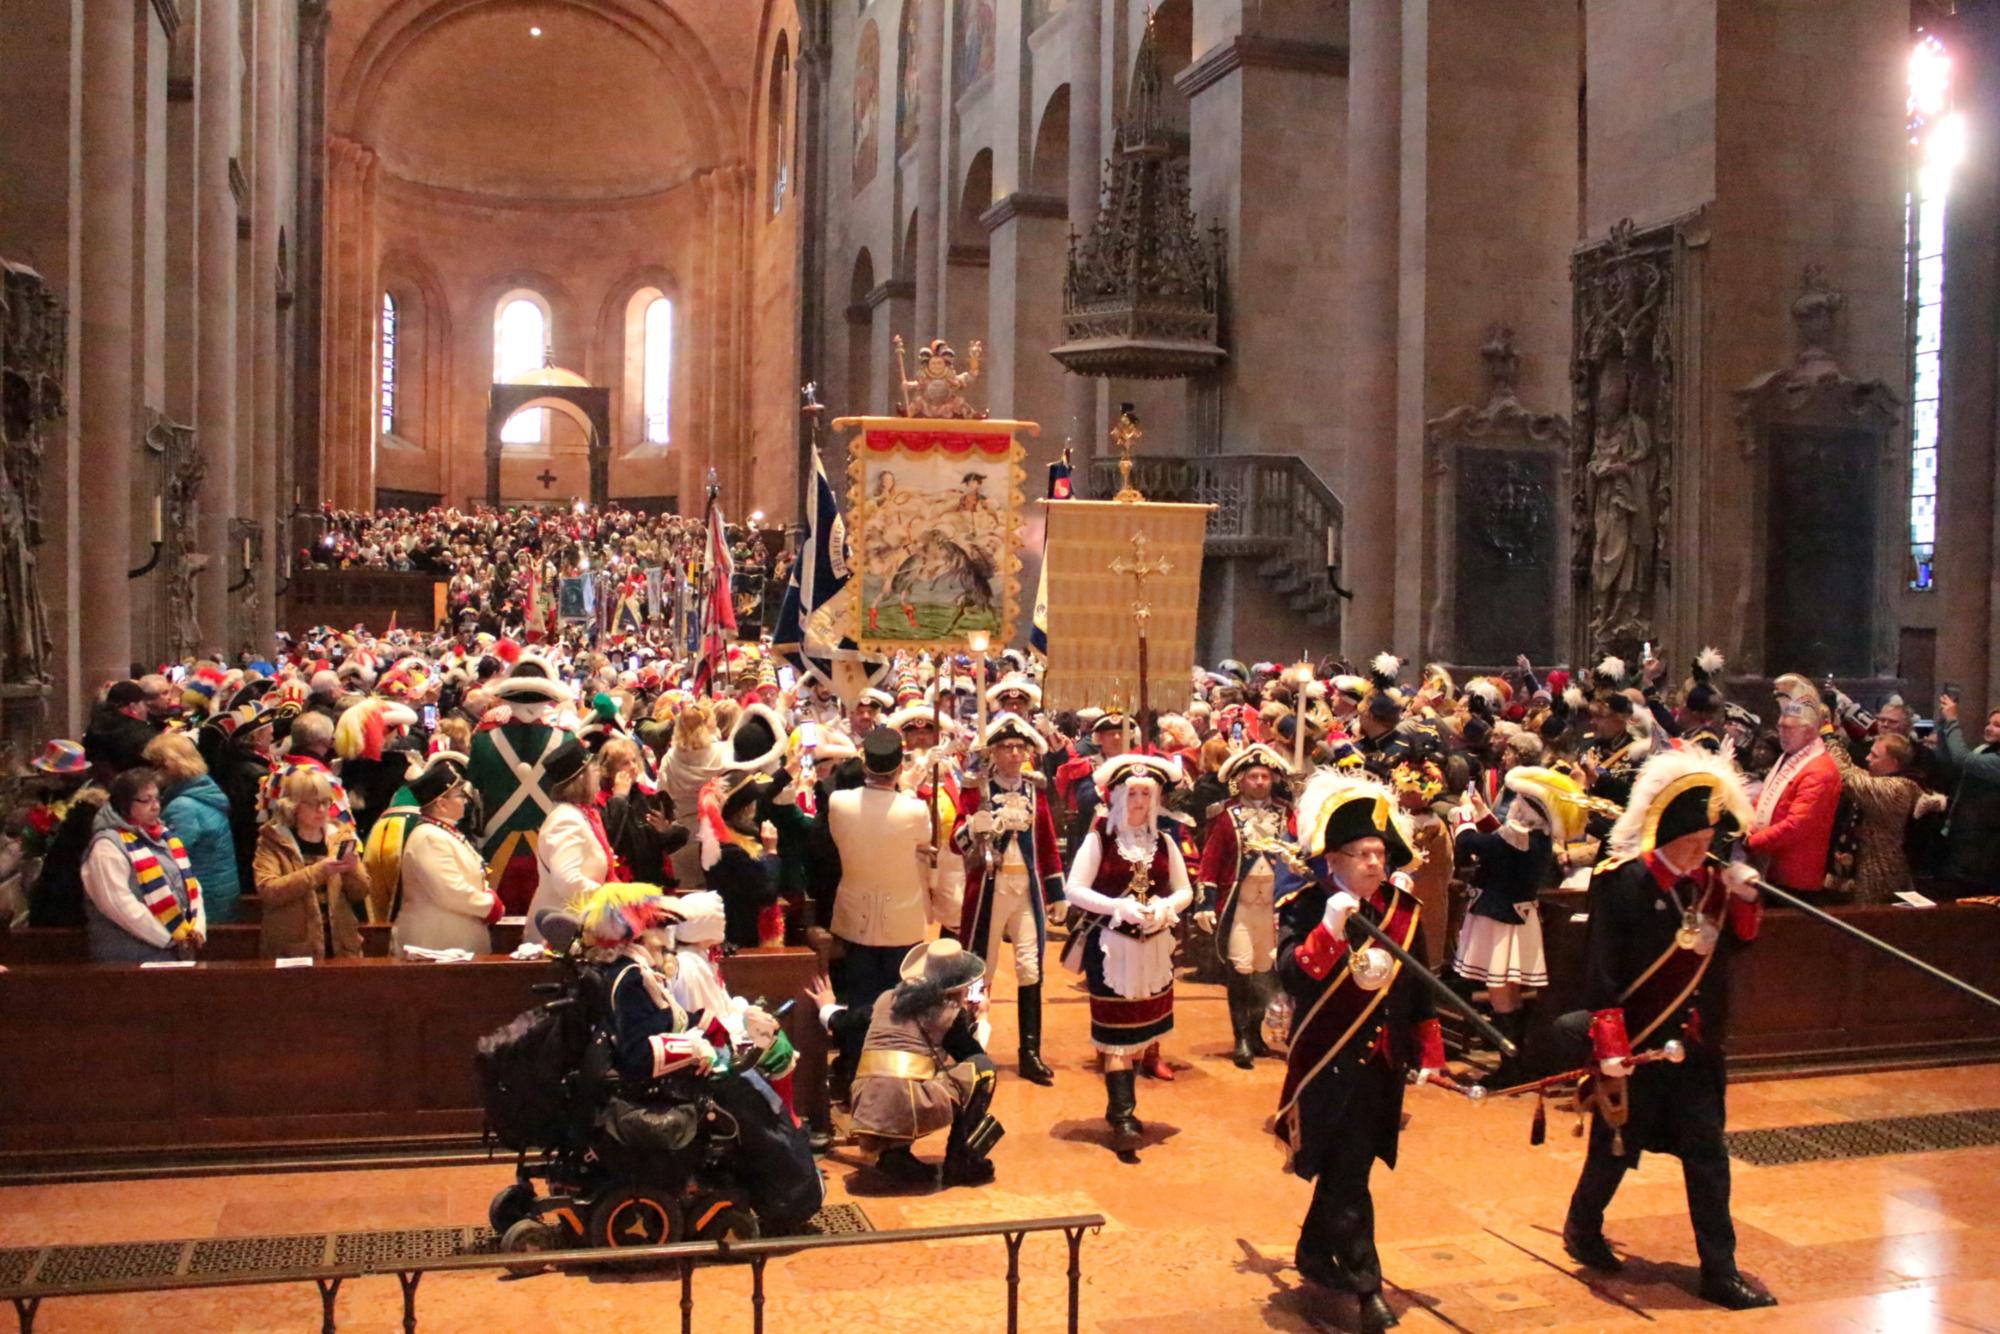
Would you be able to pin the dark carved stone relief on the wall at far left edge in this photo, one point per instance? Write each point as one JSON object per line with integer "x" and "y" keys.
{"x": 33, "y": 351}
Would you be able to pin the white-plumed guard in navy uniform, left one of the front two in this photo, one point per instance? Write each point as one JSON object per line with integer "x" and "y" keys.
{"x": 1359, "y": 1023}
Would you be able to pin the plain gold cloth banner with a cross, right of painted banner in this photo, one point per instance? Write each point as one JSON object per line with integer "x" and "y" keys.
{"x": 1093, "y": 641}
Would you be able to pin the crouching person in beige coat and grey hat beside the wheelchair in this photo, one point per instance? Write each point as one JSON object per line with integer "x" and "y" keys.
{"x": 923, "y": 1069}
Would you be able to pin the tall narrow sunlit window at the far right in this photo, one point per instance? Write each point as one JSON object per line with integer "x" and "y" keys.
{"x": 1937, "y": 143}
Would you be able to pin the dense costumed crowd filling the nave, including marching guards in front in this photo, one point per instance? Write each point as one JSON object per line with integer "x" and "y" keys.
{"x": 945, "y": 823}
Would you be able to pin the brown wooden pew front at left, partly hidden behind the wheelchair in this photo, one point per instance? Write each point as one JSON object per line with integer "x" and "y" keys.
{"x": 113, "y": 1063}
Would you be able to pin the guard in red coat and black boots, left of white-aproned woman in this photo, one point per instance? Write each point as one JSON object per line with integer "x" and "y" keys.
{"x": 1007, "y": 839}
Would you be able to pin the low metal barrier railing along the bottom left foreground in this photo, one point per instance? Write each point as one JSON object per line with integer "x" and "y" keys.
{"x": 27, "y": 1293}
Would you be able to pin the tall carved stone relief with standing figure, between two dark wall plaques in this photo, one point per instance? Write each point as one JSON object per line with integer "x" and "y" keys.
{"x": 1623, "y": 457}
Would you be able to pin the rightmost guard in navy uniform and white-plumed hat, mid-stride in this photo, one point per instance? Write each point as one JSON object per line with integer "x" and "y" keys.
{"x": 1665, "y": 925}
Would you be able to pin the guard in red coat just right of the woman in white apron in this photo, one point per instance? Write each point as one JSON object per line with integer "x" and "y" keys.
{"x": 1241, "y": 861}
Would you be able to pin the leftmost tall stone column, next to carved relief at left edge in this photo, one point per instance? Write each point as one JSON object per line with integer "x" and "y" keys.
{"x": 103, "y": 395}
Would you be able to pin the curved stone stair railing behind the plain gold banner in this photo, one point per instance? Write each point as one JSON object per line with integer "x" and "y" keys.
{"x": 1269, "y": 507}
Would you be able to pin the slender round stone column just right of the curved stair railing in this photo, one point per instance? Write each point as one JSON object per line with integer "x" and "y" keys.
{"x": 1371, "y": 329}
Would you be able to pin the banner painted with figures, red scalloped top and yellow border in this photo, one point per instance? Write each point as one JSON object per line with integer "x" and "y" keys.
{"x": 937, "y": 513}
